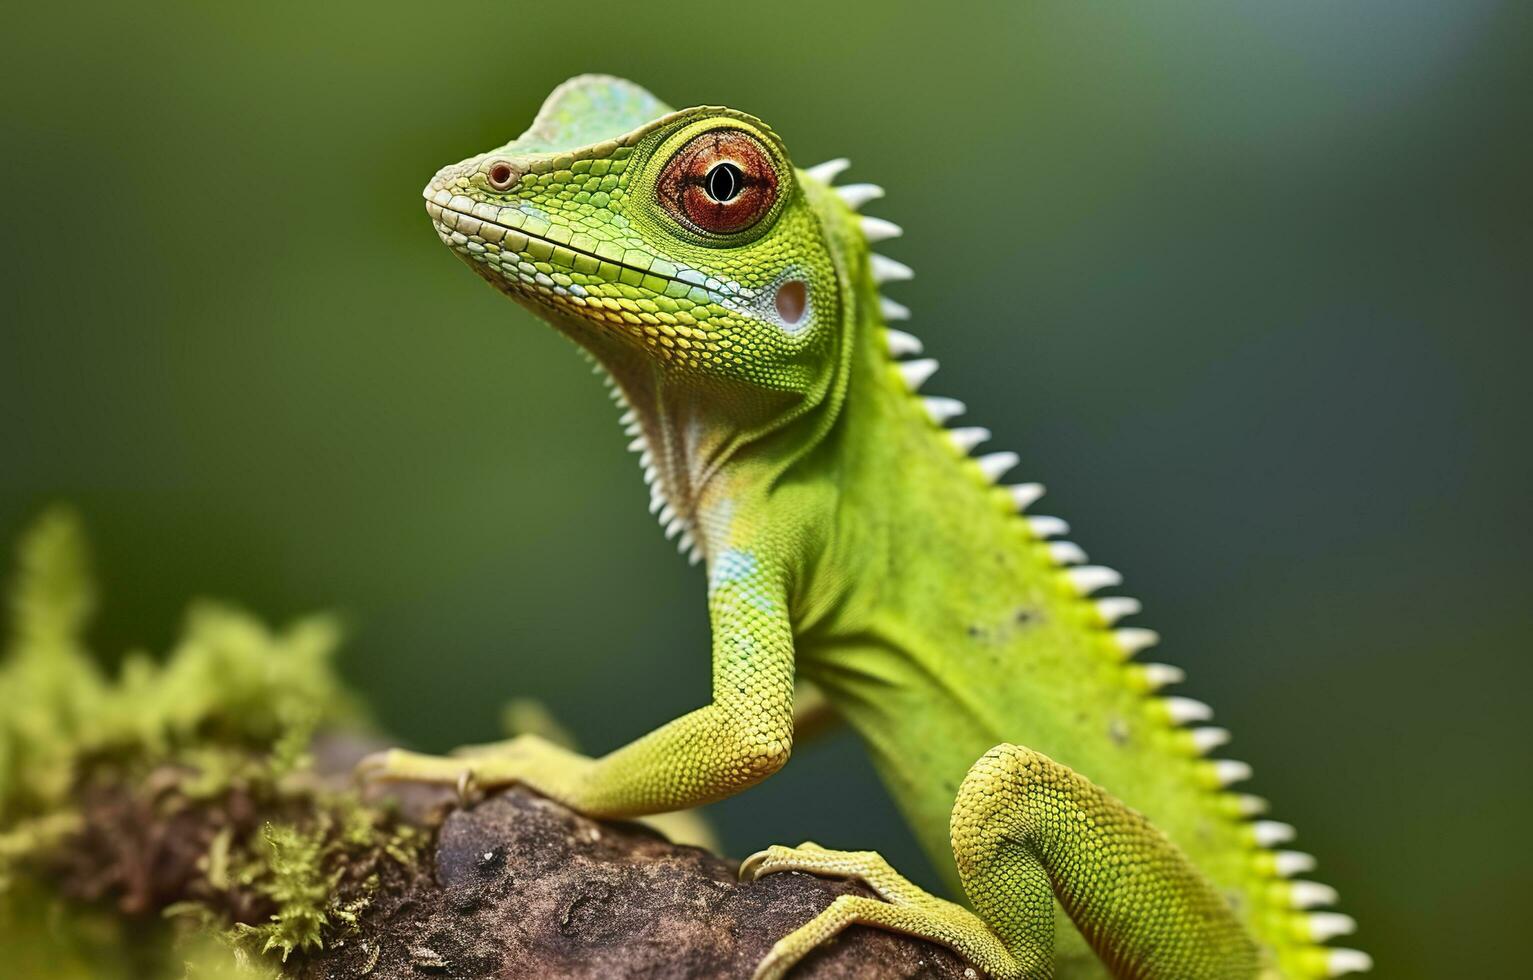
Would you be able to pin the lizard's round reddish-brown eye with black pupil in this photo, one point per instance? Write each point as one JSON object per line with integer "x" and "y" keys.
{"x": 720, "y": 183}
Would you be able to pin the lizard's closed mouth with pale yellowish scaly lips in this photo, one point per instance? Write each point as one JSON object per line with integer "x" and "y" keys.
{"x": 517, "y": 243}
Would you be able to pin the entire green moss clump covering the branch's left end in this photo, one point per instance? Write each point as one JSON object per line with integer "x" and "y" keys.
{"x": 218, "y": 728}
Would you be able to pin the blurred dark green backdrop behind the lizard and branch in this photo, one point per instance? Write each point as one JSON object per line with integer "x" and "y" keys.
{"x": 1246, "y": 283}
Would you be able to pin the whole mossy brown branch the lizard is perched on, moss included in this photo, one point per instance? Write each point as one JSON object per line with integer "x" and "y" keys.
{"x": 194, "y": 818}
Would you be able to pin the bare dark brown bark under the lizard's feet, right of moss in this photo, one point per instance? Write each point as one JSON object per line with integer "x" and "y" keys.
{"x": 522, "y": 887}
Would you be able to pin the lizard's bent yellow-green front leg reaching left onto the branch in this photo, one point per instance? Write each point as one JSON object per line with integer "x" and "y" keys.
{"x": 738, "y": 740}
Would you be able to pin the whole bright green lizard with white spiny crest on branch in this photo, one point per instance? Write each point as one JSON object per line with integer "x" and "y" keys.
{"x": 852, "y": 541}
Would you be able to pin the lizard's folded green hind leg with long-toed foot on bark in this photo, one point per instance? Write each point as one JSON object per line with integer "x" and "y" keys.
{"x": 1026, "y": 832}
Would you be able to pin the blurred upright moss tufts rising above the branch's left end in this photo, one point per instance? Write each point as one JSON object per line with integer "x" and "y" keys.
{"x": 229, "y": 683}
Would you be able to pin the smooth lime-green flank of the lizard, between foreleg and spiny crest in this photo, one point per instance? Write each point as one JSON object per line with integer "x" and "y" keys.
{"x": 962, "y": 633}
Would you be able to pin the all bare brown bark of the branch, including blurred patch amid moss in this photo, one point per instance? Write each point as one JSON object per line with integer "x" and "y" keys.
{"x": 510, "y": 887}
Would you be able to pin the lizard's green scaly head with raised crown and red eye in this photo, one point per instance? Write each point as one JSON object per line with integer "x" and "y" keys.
{"x": 678, "y": 248}
